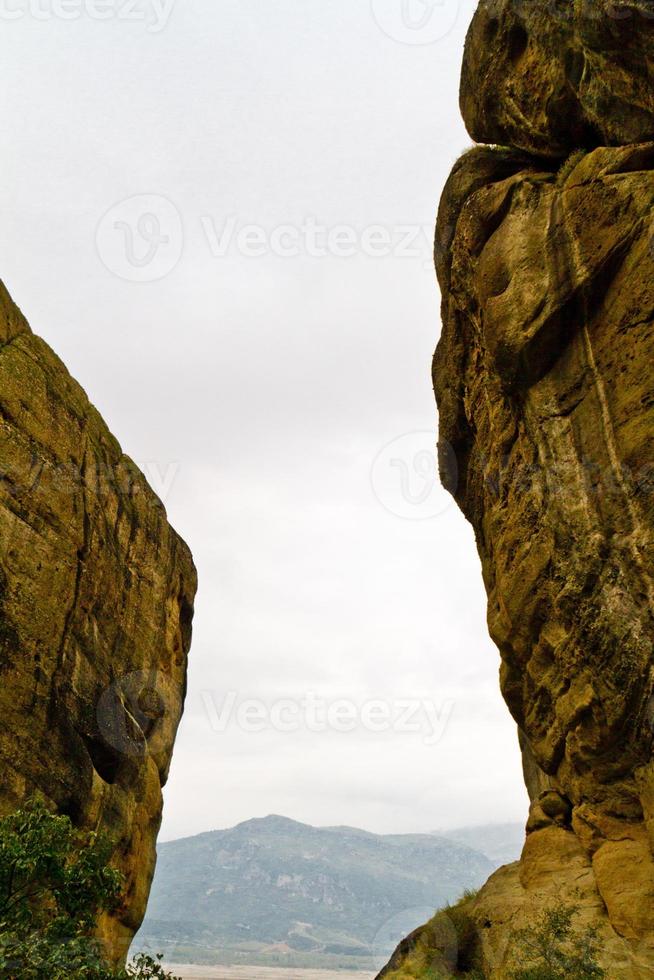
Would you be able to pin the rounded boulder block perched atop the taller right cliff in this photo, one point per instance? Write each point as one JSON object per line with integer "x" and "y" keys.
{"x": 549, "y": 76}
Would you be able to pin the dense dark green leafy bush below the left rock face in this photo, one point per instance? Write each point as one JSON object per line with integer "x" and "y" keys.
{"x": 54, "y": 883}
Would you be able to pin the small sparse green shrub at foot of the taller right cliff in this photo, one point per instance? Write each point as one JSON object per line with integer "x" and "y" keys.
{"x": 552, "y": 950}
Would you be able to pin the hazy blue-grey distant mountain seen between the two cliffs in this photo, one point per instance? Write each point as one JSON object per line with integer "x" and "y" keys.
{"x": 273, "y": 888}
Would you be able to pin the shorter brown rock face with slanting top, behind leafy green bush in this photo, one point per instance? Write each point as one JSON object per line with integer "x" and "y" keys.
{"x": 96, "y": 602}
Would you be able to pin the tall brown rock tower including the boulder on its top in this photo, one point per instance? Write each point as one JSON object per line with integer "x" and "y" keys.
{"x": 543, "y": 377}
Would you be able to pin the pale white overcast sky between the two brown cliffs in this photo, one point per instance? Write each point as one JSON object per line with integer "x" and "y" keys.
{"x": 258, "y": 390}
